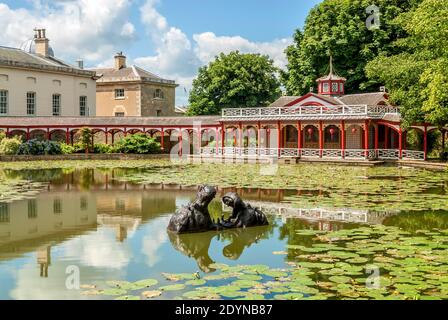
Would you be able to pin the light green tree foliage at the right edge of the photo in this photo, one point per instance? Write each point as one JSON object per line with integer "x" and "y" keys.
{"x": 418, "y": 76}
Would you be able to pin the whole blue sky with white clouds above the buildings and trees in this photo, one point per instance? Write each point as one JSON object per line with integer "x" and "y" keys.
{"x": 172, "y": 38}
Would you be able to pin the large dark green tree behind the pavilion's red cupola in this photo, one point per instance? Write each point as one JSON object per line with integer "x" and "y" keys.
{"x": 338, "y": 27}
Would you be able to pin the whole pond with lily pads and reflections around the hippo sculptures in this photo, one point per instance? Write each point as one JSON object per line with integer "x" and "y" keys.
{"x": 334, "y": 233}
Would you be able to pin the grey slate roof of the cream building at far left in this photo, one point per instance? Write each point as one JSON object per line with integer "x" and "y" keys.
{"x": 13, "y": 57}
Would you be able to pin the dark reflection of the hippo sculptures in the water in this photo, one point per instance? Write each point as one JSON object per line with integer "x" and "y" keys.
{"x": 197, "y": 246}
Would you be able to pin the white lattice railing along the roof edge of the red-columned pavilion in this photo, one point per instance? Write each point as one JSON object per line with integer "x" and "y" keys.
{"x": 309, "y": 111}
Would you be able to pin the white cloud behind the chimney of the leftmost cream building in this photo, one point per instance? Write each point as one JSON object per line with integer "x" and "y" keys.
{"x": 89, "y": 29}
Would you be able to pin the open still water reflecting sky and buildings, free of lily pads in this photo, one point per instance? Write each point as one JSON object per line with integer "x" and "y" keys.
{"x": 111, "y": 230}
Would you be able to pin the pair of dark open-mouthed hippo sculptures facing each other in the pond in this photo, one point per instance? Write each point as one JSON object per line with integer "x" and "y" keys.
{"x": 195, "y": 216}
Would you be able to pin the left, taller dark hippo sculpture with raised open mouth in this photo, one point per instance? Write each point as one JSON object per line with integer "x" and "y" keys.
{"x": 195, "y": 217}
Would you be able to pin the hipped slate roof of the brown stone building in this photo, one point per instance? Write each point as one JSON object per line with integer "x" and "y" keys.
{"x": 133, "y": 73}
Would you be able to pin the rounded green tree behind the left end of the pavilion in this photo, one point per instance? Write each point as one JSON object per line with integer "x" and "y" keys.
{"x": 234, "y": 80}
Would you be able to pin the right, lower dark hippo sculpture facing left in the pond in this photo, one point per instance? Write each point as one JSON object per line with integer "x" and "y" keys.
{"x": 243, "y": 215}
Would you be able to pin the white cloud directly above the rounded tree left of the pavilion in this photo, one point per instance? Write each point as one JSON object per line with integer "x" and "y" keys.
{"x": 179, "y": 58}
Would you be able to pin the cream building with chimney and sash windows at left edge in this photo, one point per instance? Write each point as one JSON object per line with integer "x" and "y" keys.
{"x": 35, "y": 83}
